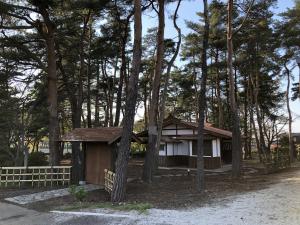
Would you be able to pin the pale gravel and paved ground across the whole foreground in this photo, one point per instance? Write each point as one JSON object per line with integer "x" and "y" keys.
{"x": 278, "y": 204}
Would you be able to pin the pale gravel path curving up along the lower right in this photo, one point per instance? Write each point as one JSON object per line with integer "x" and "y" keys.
{"x": 277, "y": 205}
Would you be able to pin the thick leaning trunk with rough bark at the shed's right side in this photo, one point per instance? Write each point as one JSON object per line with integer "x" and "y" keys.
{"x": 119, "y": 187}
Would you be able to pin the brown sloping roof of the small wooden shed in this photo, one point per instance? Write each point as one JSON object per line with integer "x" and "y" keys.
{"x": 100, "y": 134}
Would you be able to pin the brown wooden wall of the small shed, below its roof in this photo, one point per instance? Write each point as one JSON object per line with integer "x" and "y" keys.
{"x": 97, "y": 158}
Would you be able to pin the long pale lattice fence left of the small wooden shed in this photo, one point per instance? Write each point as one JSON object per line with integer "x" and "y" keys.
{"x": 35, "y": 176}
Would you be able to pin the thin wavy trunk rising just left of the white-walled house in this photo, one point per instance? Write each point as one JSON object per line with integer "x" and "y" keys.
{"x": 167, "y": 77}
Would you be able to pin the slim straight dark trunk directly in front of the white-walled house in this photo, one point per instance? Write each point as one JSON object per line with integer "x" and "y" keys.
{"x": 200, "y": 183}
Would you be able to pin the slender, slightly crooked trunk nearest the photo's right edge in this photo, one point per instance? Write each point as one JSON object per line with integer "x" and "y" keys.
{"x": 291, "y": 144}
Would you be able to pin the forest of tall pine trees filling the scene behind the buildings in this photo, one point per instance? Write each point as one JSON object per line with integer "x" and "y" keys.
{"x": 75, "y": 63}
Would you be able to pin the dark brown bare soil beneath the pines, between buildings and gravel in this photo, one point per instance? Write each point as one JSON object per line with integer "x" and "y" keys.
{"x": 169, "y": 191}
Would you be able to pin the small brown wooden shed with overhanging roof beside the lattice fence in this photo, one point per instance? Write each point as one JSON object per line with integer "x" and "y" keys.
{"x": 100, "y": 149}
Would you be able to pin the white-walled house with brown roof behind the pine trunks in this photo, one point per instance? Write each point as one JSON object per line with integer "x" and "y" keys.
{"x": 179, "y": 144}
